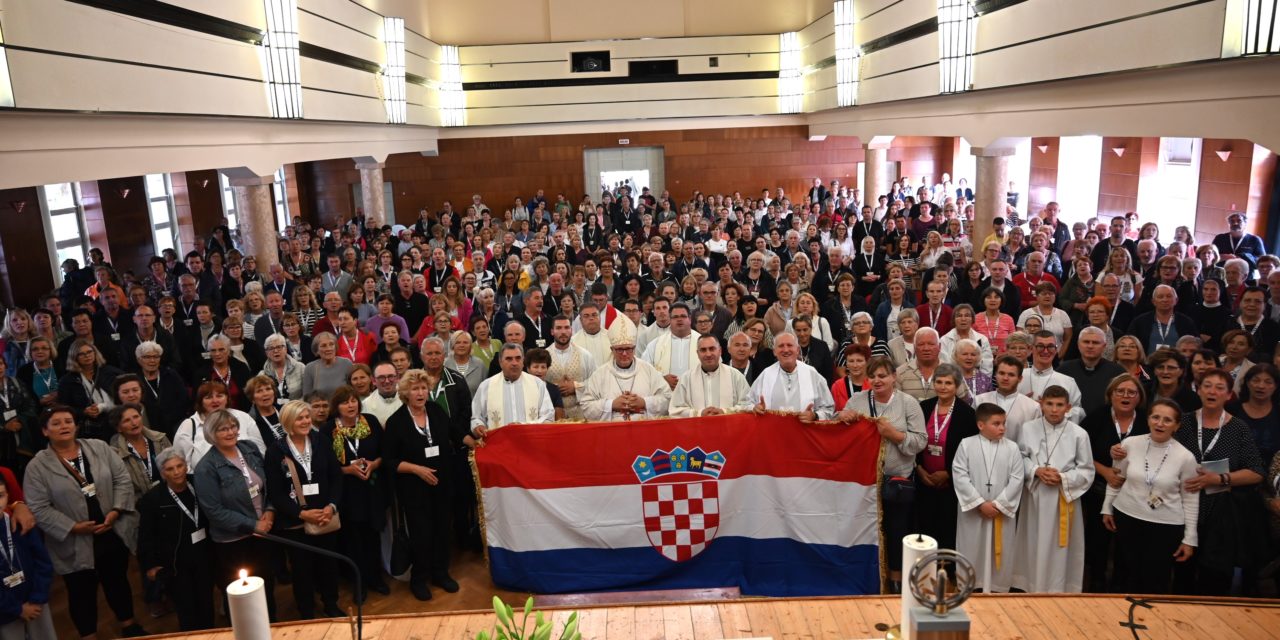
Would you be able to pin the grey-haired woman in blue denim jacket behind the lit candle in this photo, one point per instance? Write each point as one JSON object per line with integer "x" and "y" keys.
{"x": 234, "y": 495}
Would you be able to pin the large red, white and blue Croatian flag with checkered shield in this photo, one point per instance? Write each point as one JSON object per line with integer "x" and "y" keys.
{"x": 765, "y": 504}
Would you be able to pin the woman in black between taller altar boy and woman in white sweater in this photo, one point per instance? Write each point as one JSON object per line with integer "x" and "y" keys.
{"x": 1123, "y": 415}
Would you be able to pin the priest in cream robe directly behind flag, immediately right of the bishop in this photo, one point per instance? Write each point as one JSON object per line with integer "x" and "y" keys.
{"x": 712, "y": 388}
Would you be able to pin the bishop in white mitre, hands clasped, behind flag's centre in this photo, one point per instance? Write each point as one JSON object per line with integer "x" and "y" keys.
{"x": 628, "y": 387}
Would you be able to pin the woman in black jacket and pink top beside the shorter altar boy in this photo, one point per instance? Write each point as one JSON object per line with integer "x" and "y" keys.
{"x": 948, "y": 422}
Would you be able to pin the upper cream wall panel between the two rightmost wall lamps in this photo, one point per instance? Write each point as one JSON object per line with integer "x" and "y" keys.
{"x": 1039, "y": 19}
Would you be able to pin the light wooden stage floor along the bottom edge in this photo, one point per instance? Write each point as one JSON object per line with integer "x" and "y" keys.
{"x": 1034, "y": 618}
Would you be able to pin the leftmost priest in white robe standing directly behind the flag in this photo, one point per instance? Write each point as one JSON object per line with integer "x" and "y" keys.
{"x": 511, "y": 396}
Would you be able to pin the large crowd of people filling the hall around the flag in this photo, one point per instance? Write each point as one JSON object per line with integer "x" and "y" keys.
{"x": 1113, "y": 391}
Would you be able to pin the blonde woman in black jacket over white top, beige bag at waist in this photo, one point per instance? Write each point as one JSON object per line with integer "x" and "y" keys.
{"x": 304, "y": 483}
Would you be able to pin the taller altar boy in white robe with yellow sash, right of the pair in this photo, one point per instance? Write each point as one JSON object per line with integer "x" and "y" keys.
{"x": 1058, "y": 465}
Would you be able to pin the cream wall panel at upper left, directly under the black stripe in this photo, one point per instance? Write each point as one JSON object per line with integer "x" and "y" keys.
{"x": 81, "y": 30}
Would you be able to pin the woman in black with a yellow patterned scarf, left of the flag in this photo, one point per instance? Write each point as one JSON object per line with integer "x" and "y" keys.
{"x": 356, "y": 438}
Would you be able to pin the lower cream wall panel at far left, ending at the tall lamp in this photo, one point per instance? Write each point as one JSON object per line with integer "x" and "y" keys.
{"x": 44, "y": 81}
